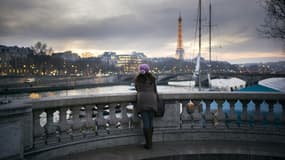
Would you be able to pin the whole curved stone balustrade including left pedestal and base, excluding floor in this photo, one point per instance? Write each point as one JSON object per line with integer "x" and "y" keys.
{"x": 55, "y": 127}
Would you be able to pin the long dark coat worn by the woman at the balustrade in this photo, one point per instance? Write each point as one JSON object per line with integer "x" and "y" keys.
{"x": 146, "y": 95}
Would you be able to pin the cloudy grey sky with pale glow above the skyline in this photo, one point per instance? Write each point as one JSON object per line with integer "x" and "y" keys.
{"x": 148, "y": 26}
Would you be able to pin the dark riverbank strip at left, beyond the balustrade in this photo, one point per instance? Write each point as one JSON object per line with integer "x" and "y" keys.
{"x": 20, "y": 85}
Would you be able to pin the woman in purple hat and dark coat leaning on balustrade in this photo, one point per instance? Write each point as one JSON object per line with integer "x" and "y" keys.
{"x": 146, "y": 101}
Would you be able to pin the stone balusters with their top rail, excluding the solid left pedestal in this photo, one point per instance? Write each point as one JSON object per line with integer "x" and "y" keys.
{"x": 65, "y": 120}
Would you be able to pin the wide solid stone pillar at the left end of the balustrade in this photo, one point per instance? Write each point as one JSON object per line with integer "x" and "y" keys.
{"x": 16, "y": 130}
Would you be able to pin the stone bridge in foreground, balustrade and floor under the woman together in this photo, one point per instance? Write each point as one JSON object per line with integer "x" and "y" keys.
{"x": 105, "y": 127}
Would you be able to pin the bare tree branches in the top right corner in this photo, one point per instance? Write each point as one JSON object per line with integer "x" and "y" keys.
{"x": 274, "y": 26}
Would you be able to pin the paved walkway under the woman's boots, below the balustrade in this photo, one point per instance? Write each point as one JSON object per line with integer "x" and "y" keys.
{"x": 174, "y": 149}
